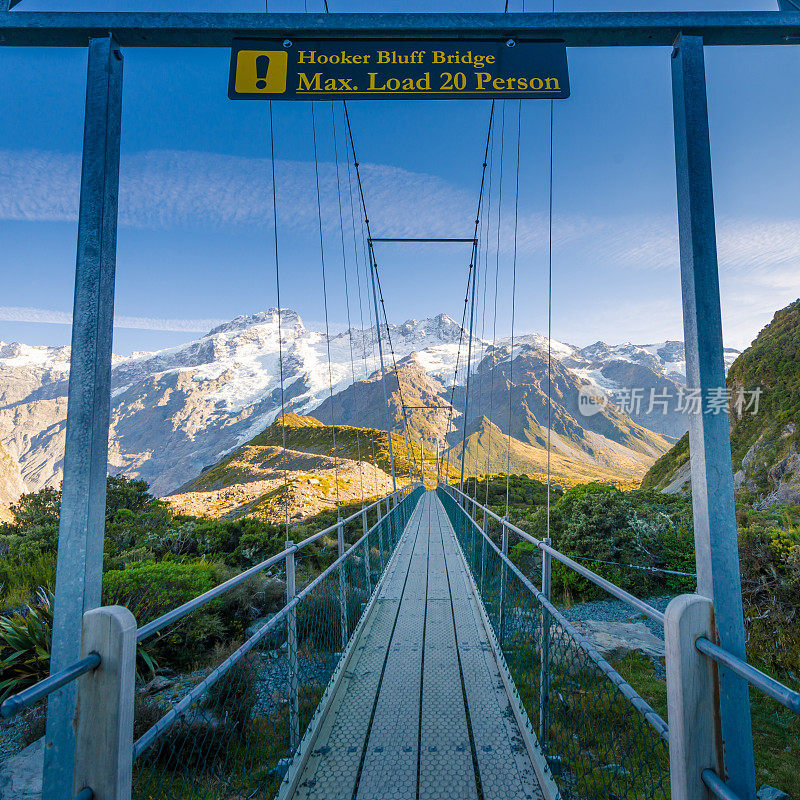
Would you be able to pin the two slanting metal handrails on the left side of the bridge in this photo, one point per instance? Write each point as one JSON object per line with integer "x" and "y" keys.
{"x": 147, "y": 739}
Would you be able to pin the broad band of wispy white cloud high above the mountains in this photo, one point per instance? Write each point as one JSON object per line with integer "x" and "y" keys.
{"x": 162, "y": 189}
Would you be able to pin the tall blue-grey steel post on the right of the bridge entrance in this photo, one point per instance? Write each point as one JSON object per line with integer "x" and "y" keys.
{"x": 716, "y": 541}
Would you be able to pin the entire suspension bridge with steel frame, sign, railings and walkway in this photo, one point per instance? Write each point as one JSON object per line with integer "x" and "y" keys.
{"x": 419, "y": 661}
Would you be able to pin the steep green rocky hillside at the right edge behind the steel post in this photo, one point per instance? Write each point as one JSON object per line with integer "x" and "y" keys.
{"x": 765, "y": 442}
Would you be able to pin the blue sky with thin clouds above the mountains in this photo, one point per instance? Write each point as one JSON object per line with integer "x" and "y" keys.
{"x": 195, "y": 237}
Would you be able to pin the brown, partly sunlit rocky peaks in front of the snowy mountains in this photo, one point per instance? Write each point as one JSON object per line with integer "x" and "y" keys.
{"x": 606, "y": 445}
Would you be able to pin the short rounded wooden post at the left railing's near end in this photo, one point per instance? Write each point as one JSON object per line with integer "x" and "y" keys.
{"x": 104, "y": 731}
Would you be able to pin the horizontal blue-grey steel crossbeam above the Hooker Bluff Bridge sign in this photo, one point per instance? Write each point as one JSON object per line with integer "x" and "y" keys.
{"x": 586, "y": 29}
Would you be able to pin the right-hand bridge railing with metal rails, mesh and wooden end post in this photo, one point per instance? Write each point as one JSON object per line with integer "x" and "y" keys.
{"x": 691, "y": 682}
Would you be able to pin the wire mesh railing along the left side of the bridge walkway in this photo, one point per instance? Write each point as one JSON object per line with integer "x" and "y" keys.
{"x": 233, "y": 732}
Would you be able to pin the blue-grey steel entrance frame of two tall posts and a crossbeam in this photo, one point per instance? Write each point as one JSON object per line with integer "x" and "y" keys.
{"x": 82, "y": 518}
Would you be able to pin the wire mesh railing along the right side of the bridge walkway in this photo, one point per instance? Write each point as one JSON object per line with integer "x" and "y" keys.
{"x": 600, "y": 737}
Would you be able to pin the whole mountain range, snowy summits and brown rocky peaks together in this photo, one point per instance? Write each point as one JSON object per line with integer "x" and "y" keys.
{"x": 178, "y": 411}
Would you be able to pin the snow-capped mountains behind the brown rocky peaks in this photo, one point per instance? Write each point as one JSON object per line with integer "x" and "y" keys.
{"x": 178, "y": 410}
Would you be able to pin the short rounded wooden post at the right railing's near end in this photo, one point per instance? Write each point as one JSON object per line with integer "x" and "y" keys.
{"x": 694, "y": 730}
